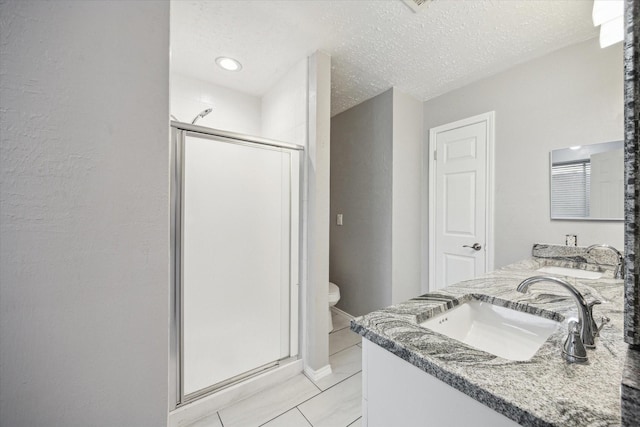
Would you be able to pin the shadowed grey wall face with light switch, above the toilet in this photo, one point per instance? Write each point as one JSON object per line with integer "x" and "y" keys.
{"x": 361, "y": 190}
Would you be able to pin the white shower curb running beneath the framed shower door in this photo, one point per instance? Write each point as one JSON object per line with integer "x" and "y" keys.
{"x": 209, "y": 405}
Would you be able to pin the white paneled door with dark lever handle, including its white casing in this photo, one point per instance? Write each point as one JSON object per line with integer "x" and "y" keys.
{"x": 460, "y": 200}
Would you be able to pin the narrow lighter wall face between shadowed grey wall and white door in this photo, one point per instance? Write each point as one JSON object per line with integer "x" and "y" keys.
{"x": 406, "y": 216}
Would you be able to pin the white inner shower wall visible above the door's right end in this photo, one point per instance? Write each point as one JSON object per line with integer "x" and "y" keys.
{"x": 284, "y": 107}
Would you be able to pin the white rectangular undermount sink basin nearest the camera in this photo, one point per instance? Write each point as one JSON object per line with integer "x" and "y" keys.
{"x": 503, "y": 332}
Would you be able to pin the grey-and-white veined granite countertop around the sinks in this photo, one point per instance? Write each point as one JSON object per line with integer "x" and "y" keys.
{"x": 543, "y": 391}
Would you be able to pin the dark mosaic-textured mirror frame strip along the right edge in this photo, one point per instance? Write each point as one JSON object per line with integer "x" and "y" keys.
{"x": 631, "y": 160}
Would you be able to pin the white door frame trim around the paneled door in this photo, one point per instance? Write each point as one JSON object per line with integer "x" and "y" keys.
{"x": 489, "y": 118}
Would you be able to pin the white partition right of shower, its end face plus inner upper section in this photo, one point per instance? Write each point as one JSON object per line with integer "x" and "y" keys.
{"x": 297, "y": 110}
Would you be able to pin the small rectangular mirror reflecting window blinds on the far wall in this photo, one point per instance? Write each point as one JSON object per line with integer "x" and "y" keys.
{"x": 587, "y": 182}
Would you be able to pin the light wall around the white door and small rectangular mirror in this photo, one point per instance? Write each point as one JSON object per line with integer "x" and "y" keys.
{"x": 573, "y": 96}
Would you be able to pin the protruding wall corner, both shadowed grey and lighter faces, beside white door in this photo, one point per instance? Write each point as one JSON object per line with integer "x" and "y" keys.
{"x": 376, "y": 158}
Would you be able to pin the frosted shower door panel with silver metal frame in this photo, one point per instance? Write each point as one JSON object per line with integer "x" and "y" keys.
{"x": 235, "y": 257}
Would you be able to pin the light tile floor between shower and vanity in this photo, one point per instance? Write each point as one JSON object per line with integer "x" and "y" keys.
{"x": 334, "y": 401}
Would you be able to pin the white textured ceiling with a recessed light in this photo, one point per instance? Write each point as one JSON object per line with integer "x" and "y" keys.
{"x": 374, "y": 45}
